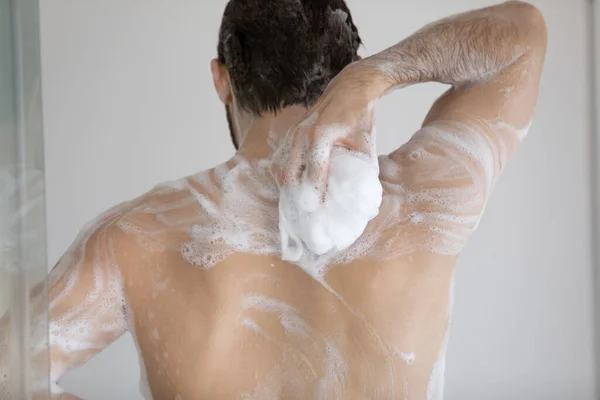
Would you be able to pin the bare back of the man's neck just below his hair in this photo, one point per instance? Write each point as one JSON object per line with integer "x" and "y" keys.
{"x": 260, "y": 136}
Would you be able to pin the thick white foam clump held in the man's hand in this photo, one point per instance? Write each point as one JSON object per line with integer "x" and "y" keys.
{"x": 352, "y": 199}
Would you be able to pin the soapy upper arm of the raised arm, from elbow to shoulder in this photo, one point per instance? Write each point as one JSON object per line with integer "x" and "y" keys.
{"x": 449, "y": 167}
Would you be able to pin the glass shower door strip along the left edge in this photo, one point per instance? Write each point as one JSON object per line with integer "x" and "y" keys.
{"x": 24, "y": 357}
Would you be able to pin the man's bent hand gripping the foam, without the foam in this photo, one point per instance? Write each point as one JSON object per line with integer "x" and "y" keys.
{"x": 342, "y": 117}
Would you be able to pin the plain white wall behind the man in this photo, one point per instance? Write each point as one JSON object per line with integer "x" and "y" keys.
{"x": 129, "y": 102}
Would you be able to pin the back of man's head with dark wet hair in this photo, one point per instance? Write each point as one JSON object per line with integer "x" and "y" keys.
{"x": 281, "y": 53}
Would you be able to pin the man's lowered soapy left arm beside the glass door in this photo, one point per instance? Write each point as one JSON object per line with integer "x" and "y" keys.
{"x": 87, "y": 308}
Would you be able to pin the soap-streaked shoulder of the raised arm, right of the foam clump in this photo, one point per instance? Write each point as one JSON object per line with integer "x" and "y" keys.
{"x": 439, "y": 183}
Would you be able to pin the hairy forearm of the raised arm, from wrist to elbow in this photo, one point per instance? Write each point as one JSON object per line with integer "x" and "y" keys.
{"x": 462, "y": 49}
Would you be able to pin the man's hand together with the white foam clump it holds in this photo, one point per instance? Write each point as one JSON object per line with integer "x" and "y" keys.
{"x": 327, "y": 172}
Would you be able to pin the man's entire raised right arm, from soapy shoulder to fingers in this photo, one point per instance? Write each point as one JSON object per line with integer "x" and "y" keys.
{"x": 493, "y": 59}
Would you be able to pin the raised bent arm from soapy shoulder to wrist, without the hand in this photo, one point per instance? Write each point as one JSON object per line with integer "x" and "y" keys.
{"x": 493, "y": 58}
